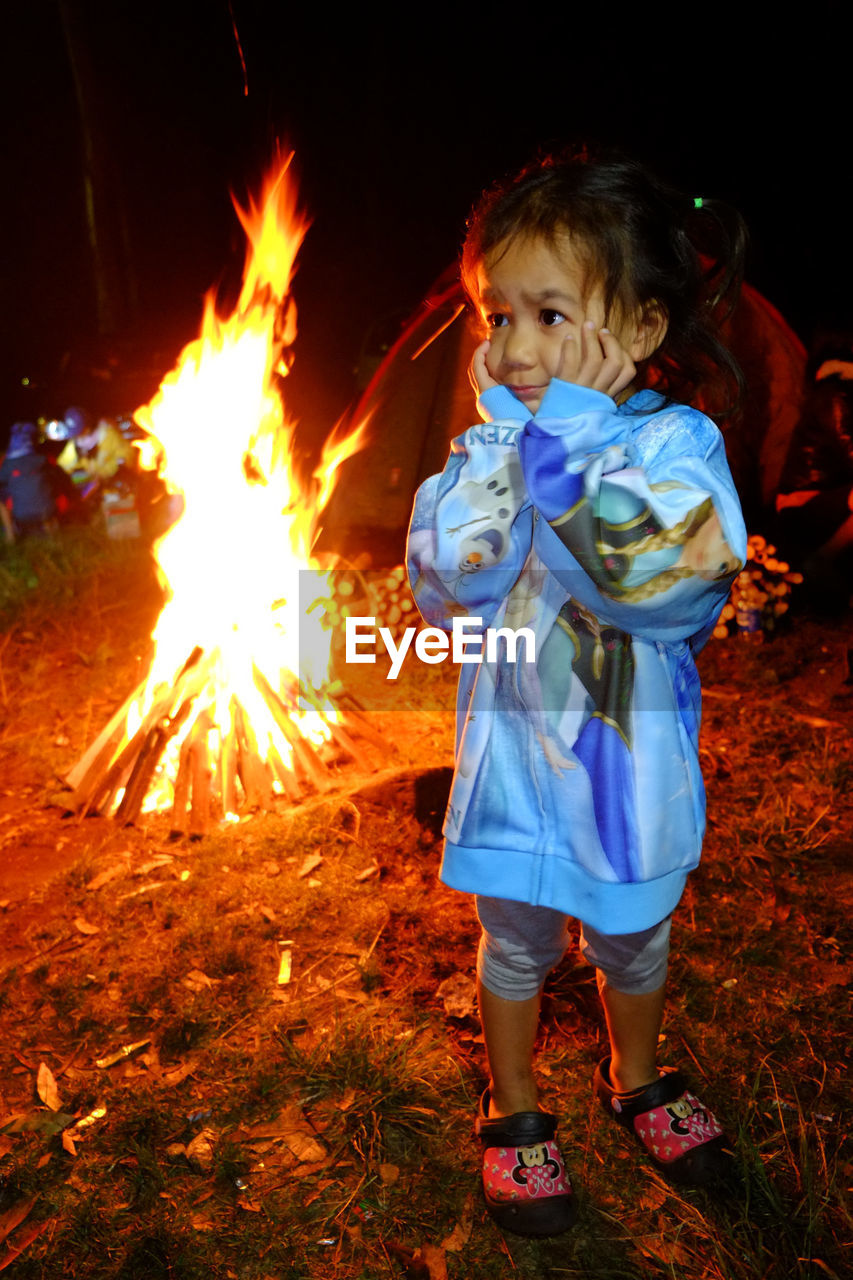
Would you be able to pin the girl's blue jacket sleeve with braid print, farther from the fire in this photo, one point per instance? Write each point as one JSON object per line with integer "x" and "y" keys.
{"x": 645, "y": 524}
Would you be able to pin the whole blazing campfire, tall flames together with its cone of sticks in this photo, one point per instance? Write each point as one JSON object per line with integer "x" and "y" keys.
{"x": 239, "y": 706}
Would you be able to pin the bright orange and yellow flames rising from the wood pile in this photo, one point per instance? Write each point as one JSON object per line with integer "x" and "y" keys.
{"x": 238, "y": 566}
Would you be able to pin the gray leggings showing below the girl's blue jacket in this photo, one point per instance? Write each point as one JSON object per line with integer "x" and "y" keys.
{"x": 523, "y": 944}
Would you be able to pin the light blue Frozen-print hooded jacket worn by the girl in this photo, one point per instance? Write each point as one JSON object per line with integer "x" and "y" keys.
{"x": 613, "y": 534}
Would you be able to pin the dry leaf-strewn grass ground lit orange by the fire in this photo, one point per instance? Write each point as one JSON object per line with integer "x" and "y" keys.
{"x": 322, "y": 1127}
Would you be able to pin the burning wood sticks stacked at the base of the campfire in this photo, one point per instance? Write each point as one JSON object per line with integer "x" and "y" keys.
{"x": 118, "y": 770}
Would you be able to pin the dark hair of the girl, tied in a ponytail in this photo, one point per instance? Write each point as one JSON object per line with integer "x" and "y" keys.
{"x": 645, "y": 243}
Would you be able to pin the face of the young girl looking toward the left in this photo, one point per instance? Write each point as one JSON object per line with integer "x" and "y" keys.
{"x": 532, "y": 296}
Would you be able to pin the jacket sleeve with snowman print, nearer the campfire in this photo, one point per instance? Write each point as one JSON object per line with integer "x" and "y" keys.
{"x": 472, "y": 528}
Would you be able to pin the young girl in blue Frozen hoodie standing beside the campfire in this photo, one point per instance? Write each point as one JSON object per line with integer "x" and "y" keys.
{"x": 596, "y": 511}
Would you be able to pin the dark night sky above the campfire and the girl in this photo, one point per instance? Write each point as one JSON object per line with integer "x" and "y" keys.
{"x": 396, "y": 129}
